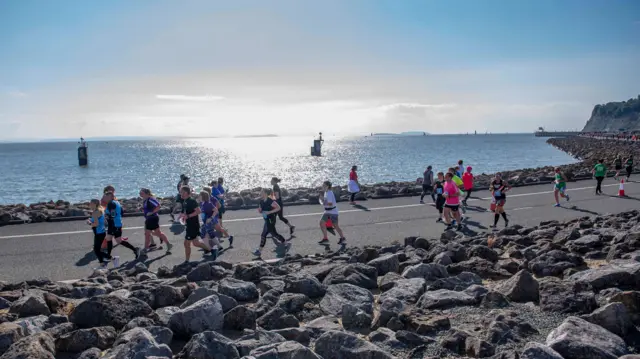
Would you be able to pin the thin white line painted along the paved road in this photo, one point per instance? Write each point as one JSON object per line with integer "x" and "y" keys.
{"x": 304, "y": 214}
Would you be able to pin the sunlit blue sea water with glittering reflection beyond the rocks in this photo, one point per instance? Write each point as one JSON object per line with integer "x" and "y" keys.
{"x": 35, "y": 172}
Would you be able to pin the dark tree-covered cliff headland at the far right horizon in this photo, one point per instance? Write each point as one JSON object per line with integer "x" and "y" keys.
{"x": 615, "y": 116}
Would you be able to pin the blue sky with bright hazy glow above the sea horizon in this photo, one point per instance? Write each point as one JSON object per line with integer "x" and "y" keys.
{"x": 297, "y": 67}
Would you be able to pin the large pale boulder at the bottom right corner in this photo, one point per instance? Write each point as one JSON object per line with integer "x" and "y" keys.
{"x": 576, "y": 338}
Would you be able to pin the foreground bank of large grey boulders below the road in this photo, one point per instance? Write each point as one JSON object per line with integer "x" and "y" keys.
{"x": 558, "y": 290}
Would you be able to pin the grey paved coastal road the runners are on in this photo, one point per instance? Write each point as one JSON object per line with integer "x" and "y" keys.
{"x": 62, "y": 251}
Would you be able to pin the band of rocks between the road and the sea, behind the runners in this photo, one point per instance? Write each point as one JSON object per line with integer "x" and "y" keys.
{"x": 586, "y": 149}
